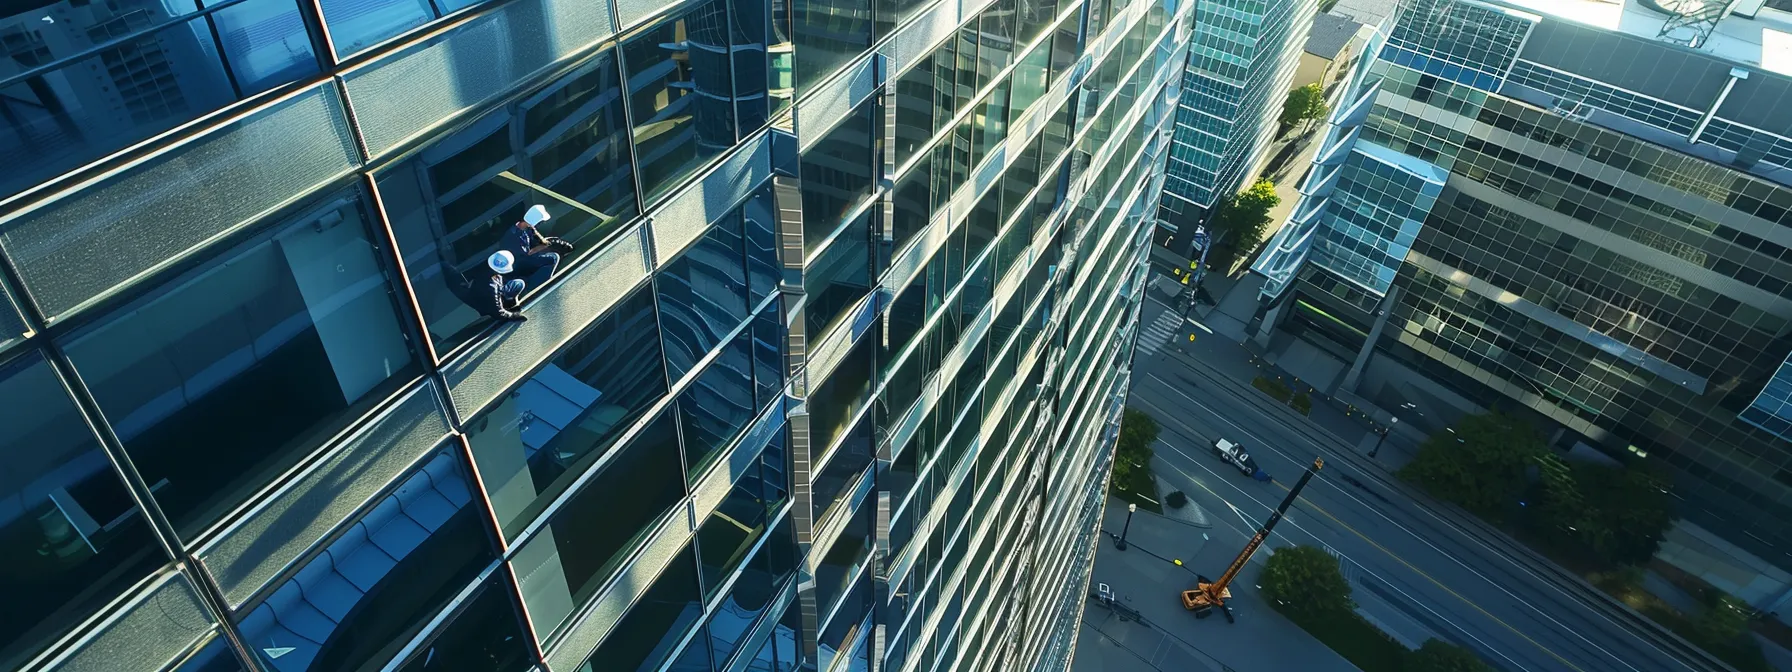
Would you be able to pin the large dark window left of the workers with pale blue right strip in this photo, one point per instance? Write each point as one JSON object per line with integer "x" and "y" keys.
{"x": 264, "y": 354}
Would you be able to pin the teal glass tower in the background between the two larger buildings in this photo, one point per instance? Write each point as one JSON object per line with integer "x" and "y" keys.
{"x": 1241, "y": 64}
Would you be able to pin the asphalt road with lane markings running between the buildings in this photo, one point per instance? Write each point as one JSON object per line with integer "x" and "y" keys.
{"x": 1460, "y": 583}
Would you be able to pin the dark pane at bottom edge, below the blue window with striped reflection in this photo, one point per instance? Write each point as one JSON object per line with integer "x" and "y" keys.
{"x": 483, "y": 637}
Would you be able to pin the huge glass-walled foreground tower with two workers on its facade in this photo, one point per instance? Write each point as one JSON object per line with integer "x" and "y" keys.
{"x": 827, "y": 383}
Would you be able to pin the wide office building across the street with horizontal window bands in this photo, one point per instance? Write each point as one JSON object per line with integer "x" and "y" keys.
{"x": 1578, "y": 209}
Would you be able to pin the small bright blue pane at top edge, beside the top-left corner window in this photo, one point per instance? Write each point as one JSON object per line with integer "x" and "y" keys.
{"x": 264, "y": 44}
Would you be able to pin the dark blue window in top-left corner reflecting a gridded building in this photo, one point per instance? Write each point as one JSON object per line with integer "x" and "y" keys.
{"x": 126, "y": 92}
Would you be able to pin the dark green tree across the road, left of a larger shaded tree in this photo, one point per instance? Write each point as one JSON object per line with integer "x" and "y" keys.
{"x": 1481, "y": 465}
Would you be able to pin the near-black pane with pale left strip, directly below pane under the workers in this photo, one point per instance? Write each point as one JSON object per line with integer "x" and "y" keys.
{"x": 614, "y": 513}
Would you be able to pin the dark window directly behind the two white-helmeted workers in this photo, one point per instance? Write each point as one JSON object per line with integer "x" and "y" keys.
{"x": 452, "y": 205}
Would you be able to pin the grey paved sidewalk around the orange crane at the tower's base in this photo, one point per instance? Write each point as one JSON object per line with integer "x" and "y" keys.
{"x": 1171, "y": 639}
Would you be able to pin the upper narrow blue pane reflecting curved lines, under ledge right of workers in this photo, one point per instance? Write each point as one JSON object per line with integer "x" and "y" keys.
{"x": 703, "y": 295}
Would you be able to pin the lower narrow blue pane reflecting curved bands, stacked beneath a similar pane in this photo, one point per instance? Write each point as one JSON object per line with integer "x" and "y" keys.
{"x": 718, "y": 406}
